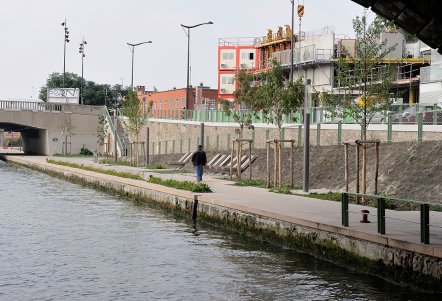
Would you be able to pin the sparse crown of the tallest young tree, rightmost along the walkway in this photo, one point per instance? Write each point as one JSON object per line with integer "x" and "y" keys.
{"x": 364, "y": 83}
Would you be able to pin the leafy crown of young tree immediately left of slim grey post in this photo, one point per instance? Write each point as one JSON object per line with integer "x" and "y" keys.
{"x": 277, "y": 96}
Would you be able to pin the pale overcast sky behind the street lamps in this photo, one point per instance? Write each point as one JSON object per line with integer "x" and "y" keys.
{"x": 32, "y": 37}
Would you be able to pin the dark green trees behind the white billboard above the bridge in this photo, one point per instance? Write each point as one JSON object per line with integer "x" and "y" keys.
{"x": 93, "y": 93}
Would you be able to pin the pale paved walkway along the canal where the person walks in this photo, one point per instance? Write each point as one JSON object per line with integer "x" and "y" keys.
{"x": 402, "y": 227}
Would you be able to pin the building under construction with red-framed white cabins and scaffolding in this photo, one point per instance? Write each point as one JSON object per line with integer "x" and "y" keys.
{"x": 315, "y": 54}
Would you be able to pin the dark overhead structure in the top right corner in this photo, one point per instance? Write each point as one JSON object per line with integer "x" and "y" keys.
{"x": 420, "y": 17}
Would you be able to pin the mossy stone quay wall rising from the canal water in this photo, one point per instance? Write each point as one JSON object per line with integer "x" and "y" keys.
{"x": 364, "y": 252}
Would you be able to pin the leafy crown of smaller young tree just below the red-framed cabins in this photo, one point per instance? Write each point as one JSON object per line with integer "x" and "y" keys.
{"x": 245, "y": 105}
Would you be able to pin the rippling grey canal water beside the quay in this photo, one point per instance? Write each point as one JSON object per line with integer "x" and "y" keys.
{"x": 62, "y": 241}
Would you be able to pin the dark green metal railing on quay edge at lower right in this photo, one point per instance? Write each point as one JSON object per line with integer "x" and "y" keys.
{"x": 382, "y": 216}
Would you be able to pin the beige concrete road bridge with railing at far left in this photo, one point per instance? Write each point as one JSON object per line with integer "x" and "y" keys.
{"x": 50, "y": 128}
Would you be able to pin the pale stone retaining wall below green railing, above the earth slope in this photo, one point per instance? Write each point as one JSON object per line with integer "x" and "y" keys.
{"x": 170, "y": 136}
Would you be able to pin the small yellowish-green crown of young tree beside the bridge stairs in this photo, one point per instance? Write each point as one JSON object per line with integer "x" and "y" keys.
{"x": 135, "y": 113}
